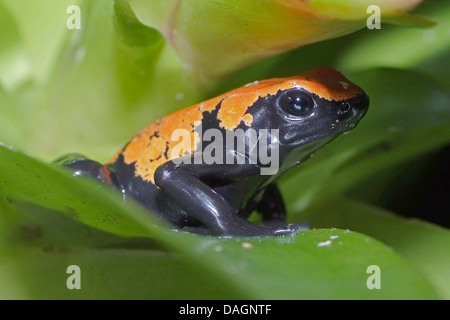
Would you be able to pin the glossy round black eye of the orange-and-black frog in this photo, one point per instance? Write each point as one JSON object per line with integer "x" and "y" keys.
{"x": 296, "y": 102}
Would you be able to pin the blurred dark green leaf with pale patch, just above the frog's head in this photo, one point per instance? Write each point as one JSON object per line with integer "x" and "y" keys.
{"x": 422, "y": 50}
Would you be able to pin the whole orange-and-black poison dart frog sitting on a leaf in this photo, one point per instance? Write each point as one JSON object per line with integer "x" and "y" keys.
{"x": 184, "y": 169}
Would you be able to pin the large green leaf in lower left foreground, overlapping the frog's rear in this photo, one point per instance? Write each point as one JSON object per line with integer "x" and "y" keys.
{"x": 49, "y": 221}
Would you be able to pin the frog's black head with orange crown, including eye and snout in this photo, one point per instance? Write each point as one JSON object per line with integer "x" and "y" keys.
{"x": 317, "y": 106}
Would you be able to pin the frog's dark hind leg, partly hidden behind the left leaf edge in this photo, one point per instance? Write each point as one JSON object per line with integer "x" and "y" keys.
{"x": 81, "y": 166}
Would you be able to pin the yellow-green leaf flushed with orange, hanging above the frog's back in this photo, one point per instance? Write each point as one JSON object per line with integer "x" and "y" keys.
{"x": 242, "y": 32}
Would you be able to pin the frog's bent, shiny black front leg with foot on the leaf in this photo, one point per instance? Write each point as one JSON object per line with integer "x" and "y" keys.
{"x": 184, "y": 183}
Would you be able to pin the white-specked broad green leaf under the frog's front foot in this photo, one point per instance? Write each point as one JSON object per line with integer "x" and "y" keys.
{"x": 317, "y": 264}
